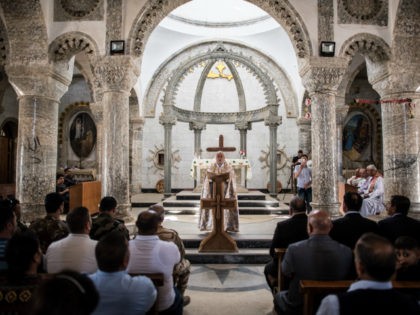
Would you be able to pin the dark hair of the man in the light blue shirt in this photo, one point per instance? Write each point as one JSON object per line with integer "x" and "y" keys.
{"x": 110, "y": 251}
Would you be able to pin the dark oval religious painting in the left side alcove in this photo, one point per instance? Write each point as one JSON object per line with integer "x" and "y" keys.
{"x": 82, "y": 135}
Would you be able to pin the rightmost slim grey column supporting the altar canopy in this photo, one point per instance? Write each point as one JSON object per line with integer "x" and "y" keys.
{"x": 273, "y": 121}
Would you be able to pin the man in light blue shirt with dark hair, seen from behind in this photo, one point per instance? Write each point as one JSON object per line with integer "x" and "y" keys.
{"x": 117, "y": 290}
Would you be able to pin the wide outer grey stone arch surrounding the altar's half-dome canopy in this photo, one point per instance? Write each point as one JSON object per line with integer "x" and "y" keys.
{"x": 281, "y": 80}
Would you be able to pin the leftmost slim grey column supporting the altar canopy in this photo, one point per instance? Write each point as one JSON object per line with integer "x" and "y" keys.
{"x": 167, "y": 121}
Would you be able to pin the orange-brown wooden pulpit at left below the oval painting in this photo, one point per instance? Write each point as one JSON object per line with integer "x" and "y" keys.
{"x": 86, "y": 194}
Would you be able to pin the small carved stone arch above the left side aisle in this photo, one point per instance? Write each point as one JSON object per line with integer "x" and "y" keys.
{"x": 65, "y": 46}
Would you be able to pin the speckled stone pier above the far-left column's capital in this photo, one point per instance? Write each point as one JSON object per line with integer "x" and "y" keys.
{"x": 25, "y": 24}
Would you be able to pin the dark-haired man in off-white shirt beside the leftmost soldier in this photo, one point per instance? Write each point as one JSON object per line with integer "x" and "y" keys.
{"x": 76, "y": 251}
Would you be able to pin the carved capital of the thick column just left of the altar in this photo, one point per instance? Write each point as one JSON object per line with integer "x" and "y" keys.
{"x": 115, "y": 73}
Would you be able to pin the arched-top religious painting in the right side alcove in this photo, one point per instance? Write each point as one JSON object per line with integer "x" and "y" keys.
{"x": 357, "y": 138}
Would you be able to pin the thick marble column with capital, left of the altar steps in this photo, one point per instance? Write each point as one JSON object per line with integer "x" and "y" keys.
{"x": 117, "y": 75}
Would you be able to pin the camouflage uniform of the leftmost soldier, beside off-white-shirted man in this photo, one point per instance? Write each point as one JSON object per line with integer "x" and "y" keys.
{"x": 49, "y": 230}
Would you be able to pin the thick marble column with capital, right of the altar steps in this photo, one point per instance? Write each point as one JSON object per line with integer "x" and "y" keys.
{"x": 321, "y": 77}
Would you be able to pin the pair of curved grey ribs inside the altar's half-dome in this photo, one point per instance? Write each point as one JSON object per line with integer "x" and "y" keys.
{"x": 236, "y": 79}
